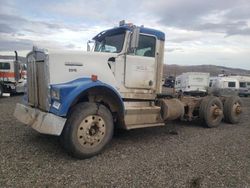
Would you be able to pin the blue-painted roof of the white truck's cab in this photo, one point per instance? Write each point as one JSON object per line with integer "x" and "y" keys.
{"x": 159, "y": 35}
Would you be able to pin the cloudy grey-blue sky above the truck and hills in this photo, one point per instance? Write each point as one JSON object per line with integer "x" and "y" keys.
{"x": 197, "y": 32}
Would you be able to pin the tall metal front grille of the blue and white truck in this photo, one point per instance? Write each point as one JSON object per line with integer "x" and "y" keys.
{"x": 38, "y": 79}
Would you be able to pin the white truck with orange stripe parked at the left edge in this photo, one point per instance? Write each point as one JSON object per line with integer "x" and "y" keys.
{"x": 13, "y": 75}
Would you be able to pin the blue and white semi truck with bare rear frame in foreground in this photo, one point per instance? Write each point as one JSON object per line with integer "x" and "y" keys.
{"x": 83, "y": 96}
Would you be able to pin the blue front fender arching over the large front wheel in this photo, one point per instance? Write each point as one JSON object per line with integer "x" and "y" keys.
{"x": 71, "y": 91}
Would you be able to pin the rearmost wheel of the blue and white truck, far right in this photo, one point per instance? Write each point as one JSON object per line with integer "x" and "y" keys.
{"x": 232, "y": 109}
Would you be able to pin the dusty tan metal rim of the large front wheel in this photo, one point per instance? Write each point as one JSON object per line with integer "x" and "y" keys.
{"x": 91, "y": 131}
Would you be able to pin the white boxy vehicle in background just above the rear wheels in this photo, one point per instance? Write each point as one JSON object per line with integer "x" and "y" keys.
{"x": 192, "y": 83}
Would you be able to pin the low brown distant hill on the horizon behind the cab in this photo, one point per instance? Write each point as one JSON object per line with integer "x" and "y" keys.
{"x": 172, "y": 70}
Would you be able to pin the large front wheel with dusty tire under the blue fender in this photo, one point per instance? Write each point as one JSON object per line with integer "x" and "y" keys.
{"x": 88, "y": 130}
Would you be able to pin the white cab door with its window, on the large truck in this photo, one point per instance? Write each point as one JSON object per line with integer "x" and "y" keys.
{"x": 140, "y": 69}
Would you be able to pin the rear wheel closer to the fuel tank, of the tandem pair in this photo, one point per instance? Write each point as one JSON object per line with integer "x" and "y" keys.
{"x": 211, "y": 111}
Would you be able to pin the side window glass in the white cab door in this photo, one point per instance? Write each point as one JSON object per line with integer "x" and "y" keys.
{"x": 146, "y": 46}
